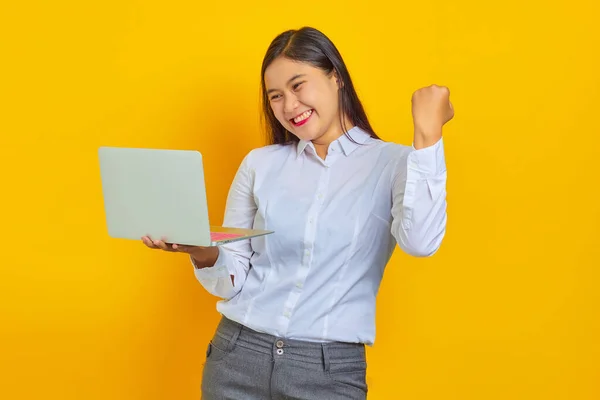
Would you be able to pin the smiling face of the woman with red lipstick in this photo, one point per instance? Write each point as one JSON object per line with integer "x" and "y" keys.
{"x": 304, "y": 99}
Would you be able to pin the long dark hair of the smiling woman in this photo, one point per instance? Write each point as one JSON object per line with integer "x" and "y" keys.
{"x": 312, "y": 46}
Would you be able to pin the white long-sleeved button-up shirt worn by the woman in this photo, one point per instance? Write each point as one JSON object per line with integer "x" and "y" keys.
{"x": 336, "y": 223}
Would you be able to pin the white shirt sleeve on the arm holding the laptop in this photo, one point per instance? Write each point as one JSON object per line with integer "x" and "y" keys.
{"x": 234, "y": 258}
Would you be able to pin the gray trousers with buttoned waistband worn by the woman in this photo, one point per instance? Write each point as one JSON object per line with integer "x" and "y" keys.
{"x": 242, "y": 364}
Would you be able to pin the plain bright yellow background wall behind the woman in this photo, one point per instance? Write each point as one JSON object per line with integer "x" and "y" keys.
{"x": 509, "y": 307}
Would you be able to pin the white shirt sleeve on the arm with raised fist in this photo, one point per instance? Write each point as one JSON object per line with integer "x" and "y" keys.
{"x": 419, "y": 200}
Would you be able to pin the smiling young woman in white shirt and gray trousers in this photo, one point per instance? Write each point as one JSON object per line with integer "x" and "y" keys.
{"x": 299, "y": 305}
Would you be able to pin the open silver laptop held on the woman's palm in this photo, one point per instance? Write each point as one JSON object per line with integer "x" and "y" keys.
{"x": 160, "y": 193}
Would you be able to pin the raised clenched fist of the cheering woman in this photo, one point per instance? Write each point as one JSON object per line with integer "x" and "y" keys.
{"x": 431, "y": 109}
